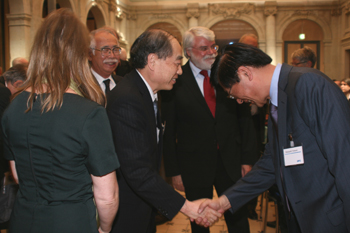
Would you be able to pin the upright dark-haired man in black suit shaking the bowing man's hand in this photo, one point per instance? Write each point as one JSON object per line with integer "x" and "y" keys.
{"x": 137, "y": 131}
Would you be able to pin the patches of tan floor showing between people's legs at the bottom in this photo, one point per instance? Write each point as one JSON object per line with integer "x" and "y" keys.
{"x": 181, "y": 223}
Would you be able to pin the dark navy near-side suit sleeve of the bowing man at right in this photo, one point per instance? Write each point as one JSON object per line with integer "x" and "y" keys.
{"x": 326, "y": 111}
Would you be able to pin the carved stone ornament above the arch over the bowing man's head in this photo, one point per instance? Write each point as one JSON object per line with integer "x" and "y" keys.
{"x": 232, "y": 10}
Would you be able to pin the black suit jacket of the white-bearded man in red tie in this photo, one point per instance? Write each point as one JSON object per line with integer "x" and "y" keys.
{"x": 192, "y": 135}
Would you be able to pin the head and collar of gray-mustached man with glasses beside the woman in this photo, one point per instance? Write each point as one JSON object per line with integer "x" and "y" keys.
{"x": 104, "y": 58}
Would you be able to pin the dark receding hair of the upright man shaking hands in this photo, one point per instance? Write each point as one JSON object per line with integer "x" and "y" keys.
{"x": 151, "y": 41}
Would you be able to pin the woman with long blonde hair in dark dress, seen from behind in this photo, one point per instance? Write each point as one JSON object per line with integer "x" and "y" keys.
{"x": 58, "y": 139}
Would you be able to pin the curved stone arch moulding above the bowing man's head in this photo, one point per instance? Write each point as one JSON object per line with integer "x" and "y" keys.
{"x": 253, "y": 21}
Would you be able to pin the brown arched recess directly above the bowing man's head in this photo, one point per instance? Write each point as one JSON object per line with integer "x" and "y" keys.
{"x": 230, "y": 31}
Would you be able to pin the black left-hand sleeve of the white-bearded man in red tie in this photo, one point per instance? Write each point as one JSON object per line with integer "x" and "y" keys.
{"x": 168, "y": 109}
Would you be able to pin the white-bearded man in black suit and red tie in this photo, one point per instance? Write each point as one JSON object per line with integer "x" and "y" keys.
{"x": 209, "y": 139}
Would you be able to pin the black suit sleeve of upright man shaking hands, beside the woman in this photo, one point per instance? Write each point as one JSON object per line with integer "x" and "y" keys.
{"x": 136, "y": 155}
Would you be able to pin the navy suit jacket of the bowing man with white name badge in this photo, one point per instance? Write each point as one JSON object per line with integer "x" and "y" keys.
{"x": 314, "y": 110}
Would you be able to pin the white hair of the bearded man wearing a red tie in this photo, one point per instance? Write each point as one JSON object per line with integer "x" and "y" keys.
{"x": 192, "y": 33}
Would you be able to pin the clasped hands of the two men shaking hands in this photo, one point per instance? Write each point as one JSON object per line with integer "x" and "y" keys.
{"x": 205, "y": 212}
